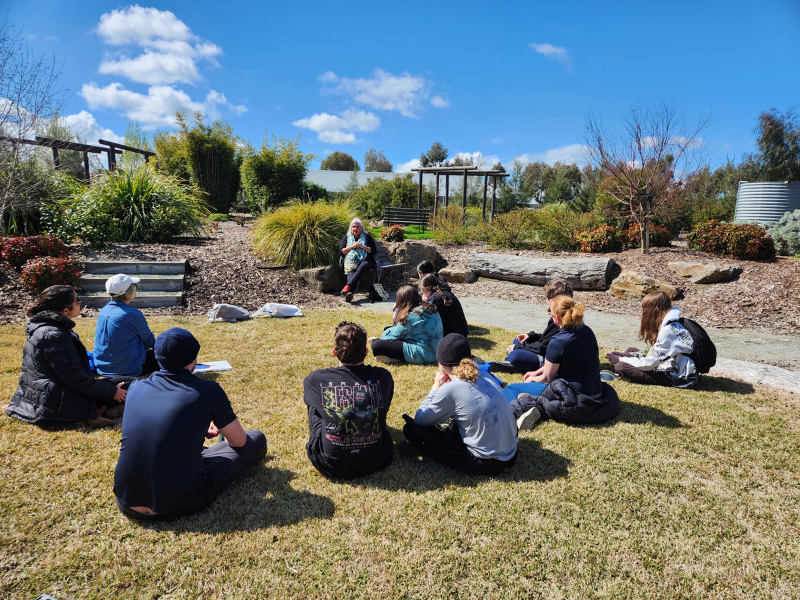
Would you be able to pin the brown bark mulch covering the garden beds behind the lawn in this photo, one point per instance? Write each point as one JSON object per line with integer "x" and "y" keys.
{"x": 223, "y": 269}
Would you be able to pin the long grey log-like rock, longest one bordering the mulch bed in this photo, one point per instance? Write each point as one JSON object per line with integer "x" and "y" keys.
{"x": 582, "y": 273}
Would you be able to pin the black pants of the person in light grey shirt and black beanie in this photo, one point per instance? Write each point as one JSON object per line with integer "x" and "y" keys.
{"x": 447, "y": 446}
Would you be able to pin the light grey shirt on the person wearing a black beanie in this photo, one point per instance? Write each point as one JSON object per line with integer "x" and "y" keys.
{"x": 480, "y": 410}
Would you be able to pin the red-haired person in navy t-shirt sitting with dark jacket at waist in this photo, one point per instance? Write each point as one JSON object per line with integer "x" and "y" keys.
{"x": 568, "y": 386}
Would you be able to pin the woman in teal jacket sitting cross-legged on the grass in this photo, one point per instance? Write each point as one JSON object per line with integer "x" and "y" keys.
{"x": 415, "y": 336}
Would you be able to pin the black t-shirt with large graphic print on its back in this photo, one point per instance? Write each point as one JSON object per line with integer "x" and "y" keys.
{"x": 347, "y": 409}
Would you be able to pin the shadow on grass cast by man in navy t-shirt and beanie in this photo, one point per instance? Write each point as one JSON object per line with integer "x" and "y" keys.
{"x": 260, "y": 498}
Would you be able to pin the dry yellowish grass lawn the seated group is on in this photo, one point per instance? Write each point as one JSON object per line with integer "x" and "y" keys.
{"x": 688, "y": 494}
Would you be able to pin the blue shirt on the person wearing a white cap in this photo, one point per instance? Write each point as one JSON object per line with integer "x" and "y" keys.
{"x": 121, "y": 340}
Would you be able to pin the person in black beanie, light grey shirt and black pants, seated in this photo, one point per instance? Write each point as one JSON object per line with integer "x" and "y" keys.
{"x": 481, "y": 438}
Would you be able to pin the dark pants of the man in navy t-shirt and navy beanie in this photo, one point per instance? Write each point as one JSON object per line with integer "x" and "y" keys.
{"x": 222, "y": 464}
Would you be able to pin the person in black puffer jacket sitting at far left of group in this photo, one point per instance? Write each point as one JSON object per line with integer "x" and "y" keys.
{"x": 56, "y": 383}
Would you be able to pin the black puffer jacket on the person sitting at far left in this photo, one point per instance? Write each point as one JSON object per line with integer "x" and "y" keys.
{"x": 56, "y": 383}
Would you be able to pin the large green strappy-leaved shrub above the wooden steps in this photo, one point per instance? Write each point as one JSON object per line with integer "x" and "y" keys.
{"x": 137, "y": 206}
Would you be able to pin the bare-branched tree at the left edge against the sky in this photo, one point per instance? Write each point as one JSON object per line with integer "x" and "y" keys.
{"x": 30, "y": 97}
